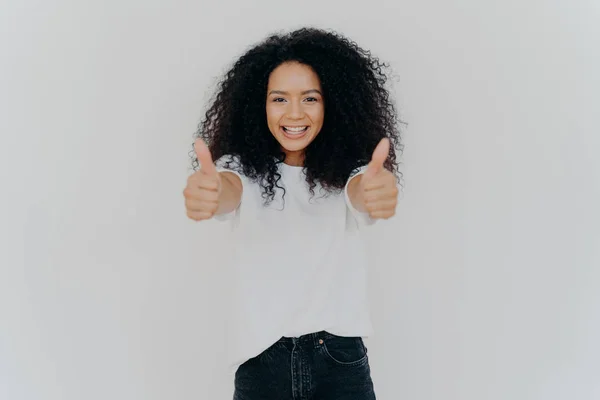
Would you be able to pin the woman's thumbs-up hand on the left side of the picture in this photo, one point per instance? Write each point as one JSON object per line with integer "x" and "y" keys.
{"x": 203, "y": 187}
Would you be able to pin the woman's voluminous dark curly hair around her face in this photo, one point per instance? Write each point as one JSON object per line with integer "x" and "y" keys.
{"x": 358, "y": 111}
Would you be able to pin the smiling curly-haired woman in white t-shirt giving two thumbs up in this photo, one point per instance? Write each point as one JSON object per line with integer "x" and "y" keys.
{"x": 304, "y": 135}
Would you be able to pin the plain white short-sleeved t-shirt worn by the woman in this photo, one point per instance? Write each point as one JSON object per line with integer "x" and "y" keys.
{"x": 299, "y": 265}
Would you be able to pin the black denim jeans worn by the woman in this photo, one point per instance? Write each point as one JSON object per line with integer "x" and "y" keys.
{"x": 318, "y": 366}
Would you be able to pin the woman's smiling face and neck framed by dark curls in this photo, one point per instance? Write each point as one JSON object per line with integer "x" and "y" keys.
{"x": 295, "y": 108}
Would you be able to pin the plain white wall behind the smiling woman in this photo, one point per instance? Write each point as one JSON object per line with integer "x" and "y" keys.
{"x": 486, "y": 285}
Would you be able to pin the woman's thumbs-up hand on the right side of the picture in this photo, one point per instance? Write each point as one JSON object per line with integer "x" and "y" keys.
{"x": 376, "y": 191}
